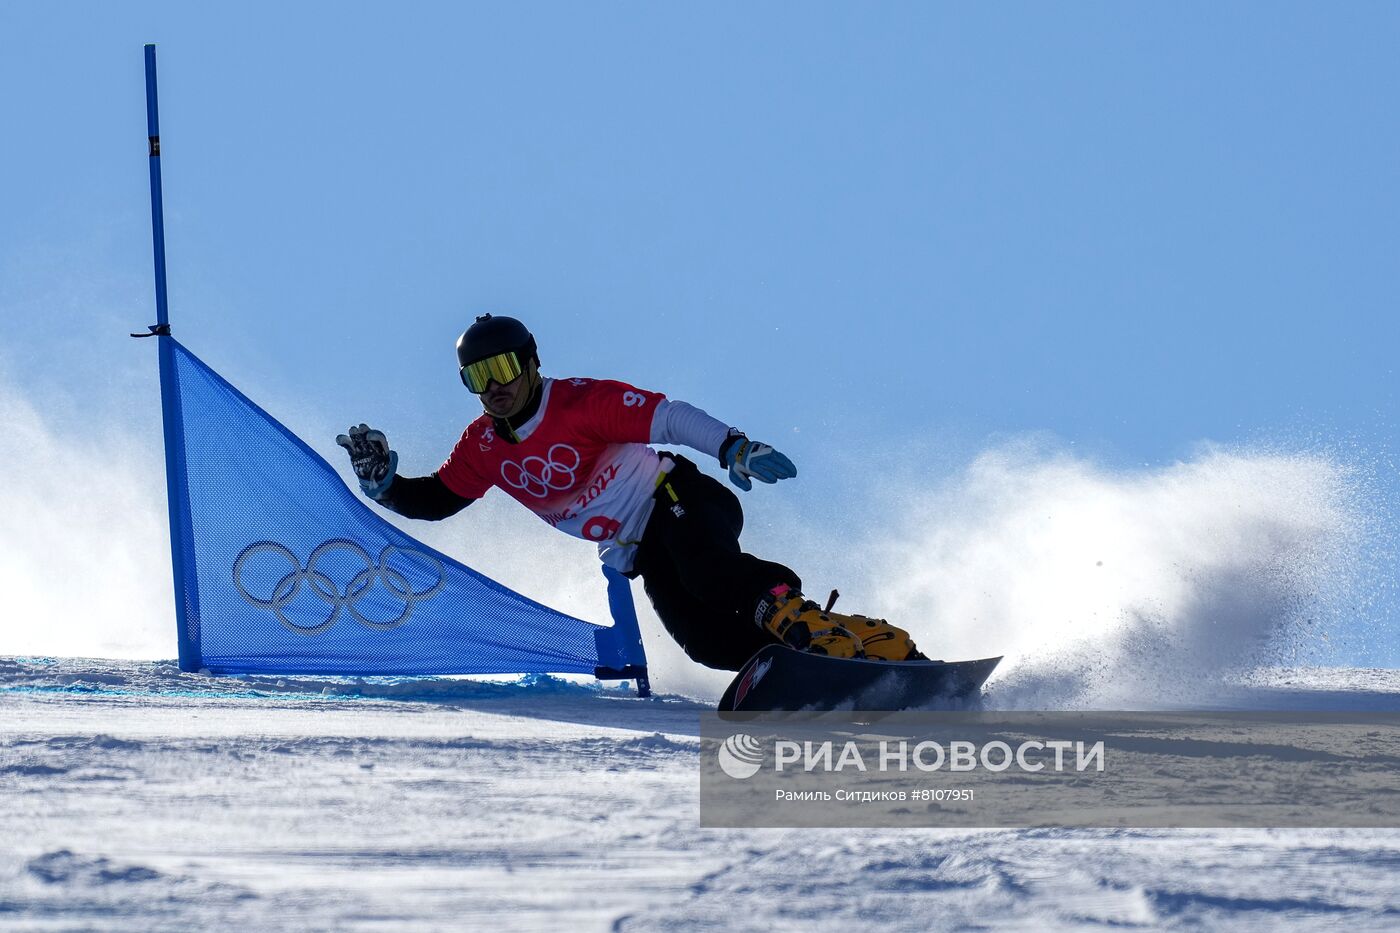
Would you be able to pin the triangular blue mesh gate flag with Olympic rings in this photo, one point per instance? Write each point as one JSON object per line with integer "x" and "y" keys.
{"x": 282, "y": 568}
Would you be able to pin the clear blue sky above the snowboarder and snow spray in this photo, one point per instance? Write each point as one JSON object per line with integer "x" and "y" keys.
{"x": 856, "y": 230}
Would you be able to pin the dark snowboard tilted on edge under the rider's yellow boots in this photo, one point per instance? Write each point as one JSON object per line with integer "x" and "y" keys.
{"x": 782, "y": 679}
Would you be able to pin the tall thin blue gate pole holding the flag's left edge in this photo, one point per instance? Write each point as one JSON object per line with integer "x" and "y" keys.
{"x": 187, "y": 602}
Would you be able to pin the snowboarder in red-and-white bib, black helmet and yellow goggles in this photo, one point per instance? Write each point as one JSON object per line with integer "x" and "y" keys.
{"x": 576, "y": 453}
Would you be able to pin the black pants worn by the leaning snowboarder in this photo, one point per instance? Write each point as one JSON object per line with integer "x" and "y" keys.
{"x": 702, "y": 585}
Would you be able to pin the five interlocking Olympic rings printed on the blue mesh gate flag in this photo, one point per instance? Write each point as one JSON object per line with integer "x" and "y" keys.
{"x": 324, "y": 588}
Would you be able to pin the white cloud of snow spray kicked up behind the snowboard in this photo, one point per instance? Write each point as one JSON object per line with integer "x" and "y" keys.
{"x": 1136, "y": 588}
